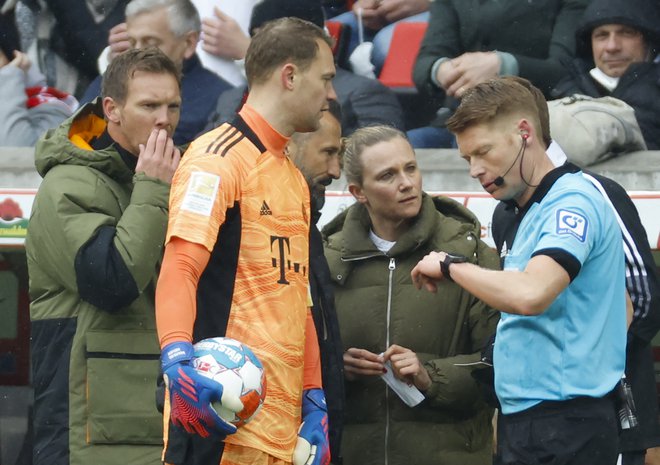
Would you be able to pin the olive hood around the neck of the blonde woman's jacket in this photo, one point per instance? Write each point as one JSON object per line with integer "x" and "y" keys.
{"x": 348, "y": 233}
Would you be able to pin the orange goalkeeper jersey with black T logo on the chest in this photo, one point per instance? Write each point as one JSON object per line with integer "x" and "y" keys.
{"x": 238, "y": 195}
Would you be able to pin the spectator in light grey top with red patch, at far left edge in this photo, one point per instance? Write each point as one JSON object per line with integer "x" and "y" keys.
{"x": 28, "y": 107}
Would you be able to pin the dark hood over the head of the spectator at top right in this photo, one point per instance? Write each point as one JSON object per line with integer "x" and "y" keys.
{"x": 643, "y": 15}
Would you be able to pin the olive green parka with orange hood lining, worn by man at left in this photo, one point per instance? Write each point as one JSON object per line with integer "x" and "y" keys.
{"x": 94, "y": 370}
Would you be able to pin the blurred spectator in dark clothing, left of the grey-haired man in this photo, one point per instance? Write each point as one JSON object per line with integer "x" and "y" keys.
{"x": 64, "y": 37}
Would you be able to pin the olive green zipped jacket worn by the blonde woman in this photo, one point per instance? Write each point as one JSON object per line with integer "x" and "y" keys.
{"x": 378, "y": 305}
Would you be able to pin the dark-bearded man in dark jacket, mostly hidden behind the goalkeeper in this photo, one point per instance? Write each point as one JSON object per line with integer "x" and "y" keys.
{"x": 318, "y": 156}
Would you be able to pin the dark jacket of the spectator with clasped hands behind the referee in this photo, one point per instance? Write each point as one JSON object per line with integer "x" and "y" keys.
{"x": 538, "y": 34}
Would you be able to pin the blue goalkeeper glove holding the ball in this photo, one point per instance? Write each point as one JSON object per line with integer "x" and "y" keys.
{"x": 191, "y": 394}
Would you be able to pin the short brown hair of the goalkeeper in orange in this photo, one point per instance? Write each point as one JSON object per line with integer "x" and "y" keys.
{"x": 278, "y": 42}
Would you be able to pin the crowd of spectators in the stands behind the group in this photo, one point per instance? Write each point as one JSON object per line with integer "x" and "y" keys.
{"x": 70, "y": 43}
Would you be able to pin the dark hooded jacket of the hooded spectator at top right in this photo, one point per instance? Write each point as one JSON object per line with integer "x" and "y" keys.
{"x": 639, "y": 86}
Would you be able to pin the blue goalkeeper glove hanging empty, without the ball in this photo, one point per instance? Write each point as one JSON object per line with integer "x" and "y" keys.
{"x": 313, "y": 447}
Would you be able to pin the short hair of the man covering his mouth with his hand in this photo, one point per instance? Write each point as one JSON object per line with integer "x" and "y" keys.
{"x": 124, "y": 66}
